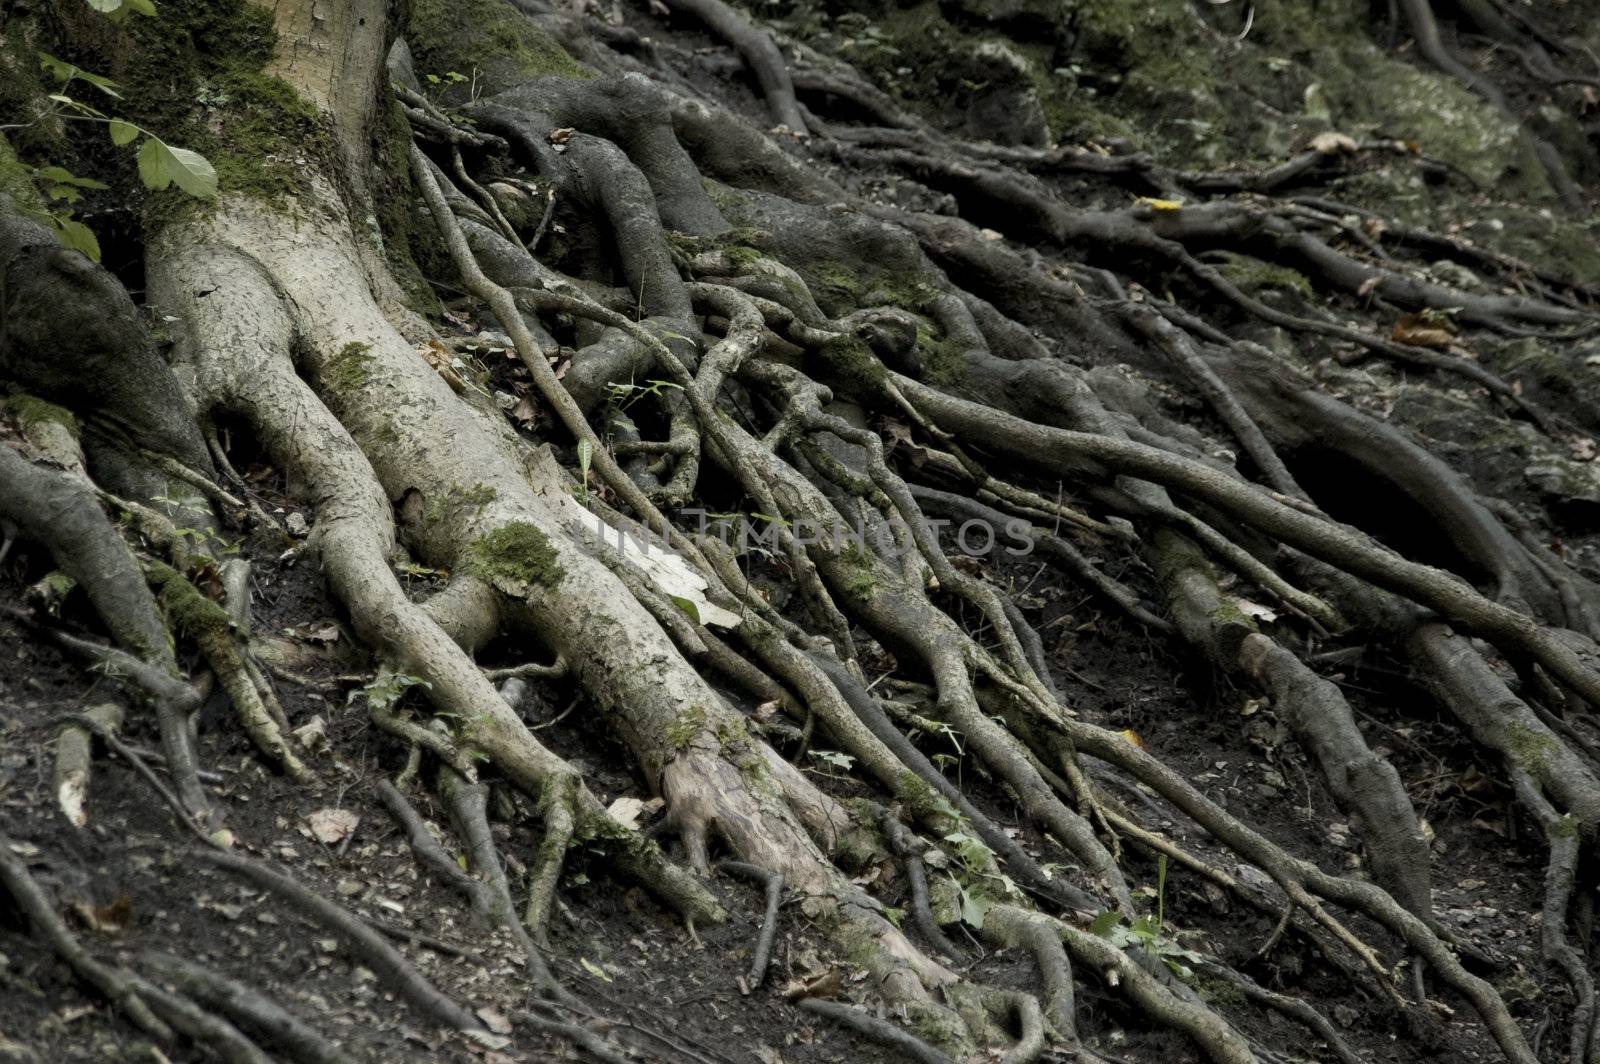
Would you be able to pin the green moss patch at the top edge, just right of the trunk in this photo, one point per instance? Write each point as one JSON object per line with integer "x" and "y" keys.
{"x": 468, "y": 34}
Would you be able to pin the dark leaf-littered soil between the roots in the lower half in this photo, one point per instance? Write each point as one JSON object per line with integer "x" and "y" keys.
{"x": 614, "y": 945}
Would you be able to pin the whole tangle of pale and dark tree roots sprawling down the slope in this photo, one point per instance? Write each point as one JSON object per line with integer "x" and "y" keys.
{"x": 769, "y": 321}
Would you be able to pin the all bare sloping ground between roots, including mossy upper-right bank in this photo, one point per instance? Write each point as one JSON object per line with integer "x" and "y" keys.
{"x": 684, "y": 986}
